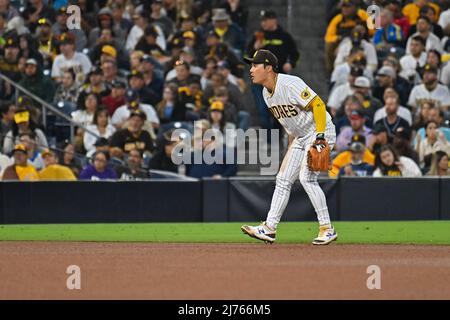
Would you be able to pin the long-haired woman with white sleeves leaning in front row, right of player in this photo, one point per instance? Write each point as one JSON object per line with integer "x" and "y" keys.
{"x": 388, "y": 163}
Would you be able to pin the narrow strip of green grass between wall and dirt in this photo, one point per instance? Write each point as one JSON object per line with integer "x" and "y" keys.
{"x": 404, "y": 232}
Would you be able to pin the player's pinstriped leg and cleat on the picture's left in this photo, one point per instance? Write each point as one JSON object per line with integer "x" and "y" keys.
{"x": 286, "y": 176}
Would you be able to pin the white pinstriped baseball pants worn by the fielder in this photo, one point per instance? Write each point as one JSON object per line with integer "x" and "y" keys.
{"x": 294, "y": 166}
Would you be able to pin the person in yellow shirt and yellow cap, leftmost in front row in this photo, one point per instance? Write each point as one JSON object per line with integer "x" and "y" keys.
{"x": 21, "y": 170}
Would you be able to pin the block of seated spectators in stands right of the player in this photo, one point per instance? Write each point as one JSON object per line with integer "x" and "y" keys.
{"x": 389, "y": 87}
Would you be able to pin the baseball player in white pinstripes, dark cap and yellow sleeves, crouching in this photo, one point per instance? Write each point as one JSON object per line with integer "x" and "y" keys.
{"x": 303, "y": 115}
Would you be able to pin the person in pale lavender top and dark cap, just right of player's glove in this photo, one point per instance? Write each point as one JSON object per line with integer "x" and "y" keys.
{"x": 356, "y": 127}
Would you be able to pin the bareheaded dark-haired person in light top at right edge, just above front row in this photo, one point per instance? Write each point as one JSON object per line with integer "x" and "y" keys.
{"x": 434, "y": 141}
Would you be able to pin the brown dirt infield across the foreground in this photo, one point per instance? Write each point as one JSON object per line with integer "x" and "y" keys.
{"x": 37, "y": 270}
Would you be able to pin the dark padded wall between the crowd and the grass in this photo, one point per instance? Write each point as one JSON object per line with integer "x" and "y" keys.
{"x": 210, "y": 200}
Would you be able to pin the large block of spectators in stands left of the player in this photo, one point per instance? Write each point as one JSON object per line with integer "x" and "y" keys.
{"x": 132, "y": 73}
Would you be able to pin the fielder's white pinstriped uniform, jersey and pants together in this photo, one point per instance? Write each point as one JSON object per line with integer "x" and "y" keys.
{"x": 288, "y": 103}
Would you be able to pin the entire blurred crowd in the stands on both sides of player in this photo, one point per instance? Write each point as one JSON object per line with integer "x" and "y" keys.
{"x": 102, "y": 101}
